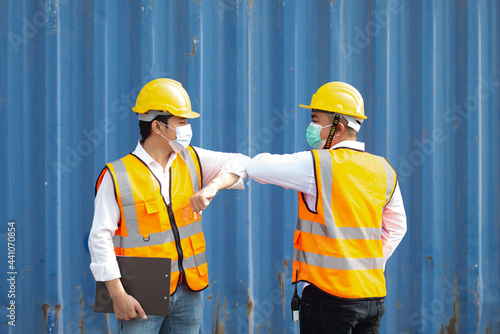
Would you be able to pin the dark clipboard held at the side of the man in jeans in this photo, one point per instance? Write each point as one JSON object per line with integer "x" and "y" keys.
{"x": 147, "y": 279}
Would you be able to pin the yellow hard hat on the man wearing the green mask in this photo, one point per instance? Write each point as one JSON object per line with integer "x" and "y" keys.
{"x": 340, "y": 98}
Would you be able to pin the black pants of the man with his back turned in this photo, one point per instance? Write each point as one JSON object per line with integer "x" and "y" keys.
{"x": 323, "y": 313}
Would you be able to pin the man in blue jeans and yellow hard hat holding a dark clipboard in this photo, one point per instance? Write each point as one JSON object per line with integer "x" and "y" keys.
{"x": 149, "y": 203}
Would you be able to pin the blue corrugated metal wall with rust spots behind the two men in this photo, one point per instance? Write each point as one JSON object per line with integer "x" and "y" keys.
{"x": 429, "y": 74}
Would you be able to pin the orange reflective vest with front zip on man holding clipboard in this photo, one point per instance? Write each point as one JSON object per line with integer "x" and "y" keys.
{"x": 149, "y": 227}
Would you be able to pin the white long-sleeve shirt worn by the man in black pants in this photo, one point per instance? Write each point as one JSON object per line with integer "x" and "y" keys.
{"x": 296, "y": 171}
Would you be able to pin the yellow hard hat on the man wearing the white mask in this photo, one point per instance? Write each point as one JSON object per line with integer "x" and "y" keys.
{"x": 163, "y": 96}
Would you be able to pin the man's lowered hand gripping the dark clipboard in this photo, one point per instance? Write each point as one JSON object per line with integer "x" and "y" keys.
{"x": 125, "y": 306}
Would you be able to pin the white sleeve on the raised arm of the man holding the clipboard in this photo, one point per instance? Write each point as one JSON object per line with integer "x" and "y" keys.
{"x": 214, "y": 163}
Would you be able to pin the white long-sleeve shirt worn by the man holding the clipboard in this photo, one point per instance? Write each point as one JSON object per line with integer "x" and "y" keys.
{"x": 107, "y": 212}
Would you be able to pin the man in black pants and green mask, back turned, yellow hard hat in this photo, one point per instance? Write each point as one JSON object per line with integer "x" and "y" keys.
{"x": 351, "y": 216}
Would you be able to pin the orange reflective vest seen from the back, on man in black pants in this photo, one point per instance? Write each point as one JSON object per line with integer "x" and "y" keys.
{"x": 337, "y": 244}
